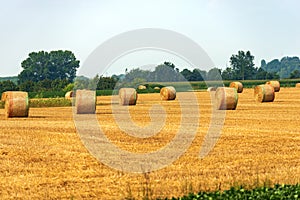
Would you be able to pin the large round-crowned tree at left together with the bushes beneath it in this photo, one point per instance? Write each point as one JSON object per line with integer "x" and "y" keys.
{"x": 43, "y": 71}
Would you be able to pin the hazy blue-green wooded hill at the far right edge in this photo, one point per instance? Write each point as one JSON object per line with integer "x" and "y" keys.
{"x": 283, "y": 67}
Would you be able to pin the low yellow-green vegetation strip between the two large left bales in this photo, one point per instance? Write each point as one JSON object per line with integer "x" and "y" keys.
{"x": 50, "y": 102}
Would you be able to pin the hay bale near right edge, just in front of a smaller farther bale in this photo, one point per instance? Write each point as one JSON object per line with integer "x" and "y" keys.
{"x": 264, "y": 93}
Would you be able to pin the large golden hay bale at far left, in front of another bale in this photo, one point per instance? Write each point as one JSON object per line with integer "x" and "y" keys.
{"x": 16, "y": 104}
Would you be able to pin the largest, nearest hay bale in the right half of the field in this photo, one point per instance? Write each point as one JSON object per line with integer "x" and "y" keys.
{"x": 226, "y": 98}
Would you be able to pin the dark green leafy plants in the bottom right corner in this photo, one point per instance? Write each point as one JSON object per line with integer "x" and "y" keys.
{"x": 277, "y": 192}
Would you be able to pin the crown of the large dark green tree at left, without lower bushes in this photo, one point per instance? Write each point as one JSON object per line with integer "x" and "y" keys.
{"x": 39, "y": 66}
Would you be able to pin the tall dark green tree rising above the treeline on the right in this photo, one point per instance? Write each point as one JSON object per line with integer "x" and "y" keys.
{"x": 242, "y": 65}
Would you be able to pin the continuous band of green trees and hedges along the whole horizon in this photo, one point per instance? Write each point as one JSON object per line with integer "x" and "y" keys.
{"x": 56, "y": 71}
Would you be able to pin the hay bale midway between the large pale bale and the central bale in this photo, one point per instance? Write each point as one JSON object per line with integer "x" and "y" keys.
{"x": 127, "y": 96}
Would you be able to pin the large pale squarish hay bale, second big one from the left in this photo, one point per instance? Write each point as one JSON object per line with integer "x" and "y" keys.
{"x": 85, "y": 102}
